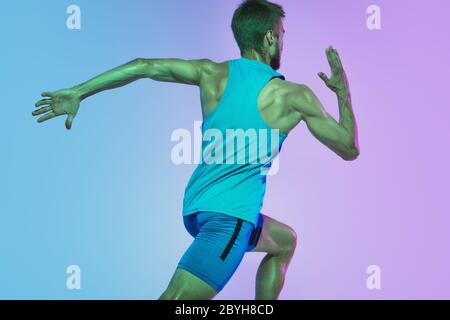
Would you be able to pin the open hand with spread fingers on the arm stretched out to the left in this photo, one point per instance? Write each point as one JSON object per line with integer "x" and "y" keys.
{"x": 65, "y": 101}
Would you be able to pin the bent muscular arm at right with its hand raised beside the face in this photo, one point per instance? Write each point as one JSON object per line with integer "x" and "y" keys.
{"x": 340, "y": 136}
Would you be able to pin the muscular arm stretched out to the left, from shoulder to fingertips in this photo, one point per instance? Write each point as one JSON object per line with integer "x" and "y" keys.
{"x": 67, "y": 101}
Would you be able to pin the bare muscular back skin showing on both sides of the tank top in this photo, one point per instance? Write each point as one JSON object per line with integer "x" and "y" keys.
{"x": 272, "y": 104}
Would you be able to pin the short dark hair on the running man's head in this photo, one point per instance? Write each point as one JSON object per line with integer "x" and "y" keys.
{"x": 251, "y": 21}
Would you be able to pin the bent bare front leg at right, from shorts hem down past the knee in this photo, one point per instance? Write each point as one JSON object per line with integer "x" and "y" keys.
{"x": 279, "y": 241}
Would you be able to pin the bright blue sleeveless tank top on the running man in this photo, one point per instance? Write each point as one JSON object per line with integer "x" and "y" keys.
{"x": 237, "y": 147}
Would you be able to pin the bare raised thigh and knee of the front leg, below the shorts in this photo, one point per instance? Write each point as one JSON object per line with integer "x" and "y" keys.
{"x": 274, "y": 237}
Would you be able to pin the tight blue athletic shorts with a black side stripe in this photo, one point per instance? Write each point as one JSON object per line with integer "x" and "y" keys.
{"x": 220, "y": 242}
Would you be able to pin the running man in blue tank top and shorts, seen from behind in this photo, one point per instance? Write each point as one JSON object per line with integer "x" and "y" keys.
{"x": 222, "y": 200}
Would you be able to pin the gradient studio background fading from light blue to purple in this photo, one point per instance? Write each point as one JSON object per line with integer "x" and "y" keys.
{"x": 106, "y": 196}
